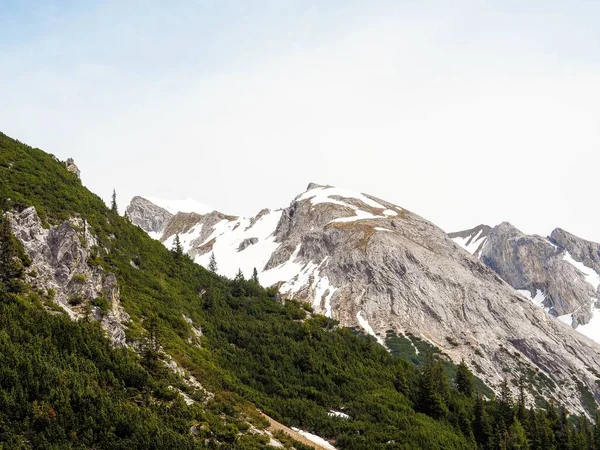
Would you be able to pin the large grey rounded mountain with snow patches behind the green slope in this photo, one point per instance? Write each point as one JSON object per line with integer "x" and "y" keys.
{"x": 380, "y": 268}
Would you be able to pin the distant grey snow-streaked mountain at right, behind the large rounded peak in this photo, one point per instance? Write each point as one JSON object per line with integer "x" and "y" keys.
{"x": 559, "y": 273}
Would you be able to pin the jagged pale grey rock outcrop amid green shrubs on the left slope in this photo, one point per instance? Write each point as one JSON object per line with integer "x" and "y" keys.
{"x": 60, "y": 266}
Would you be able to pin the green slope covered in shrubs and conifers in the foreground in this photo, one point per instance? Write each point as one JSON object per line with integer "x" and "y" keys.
{"x": 62, "y": 384}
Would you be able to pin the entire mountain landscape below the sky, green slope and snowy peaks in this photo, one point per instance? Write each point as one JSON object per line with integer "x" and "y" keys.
{"x": 342, "y": 321}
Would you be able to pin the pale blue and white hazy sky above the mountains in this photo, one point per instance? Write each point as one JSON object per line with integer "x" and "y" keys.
{"x": 464, "y": 112}
